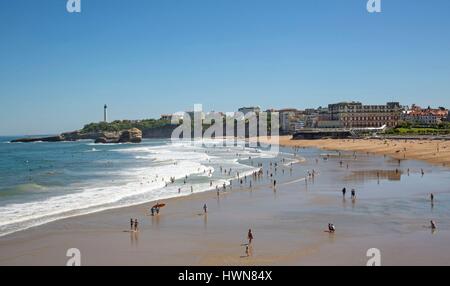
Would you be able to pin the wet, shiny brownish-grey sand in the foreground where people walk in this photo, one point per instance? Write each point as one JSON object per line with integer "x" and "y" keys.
{"x": 288, "y": 224}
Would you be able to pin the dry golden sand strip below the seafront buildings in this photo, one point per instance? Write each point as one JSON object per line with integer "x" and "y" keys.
{"x": 431, "y": 151}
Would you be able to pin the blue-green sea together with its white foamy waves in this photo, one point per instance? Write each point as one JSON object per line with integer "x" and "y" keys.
{"x": 43, "y": 182}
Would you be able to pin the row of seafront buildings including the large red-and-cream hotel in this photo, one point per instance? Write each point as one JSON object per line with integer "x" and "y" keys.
{"x": 352, "y": 115}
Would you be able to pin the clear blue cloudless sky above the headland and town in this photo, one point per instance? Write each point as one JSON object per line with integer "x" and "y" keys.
{"x": 147, "y": 57}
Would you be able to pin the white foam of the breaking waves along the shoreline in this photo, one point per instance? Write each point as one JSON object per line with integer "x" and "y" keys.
{"x": 134, "y": 186}
